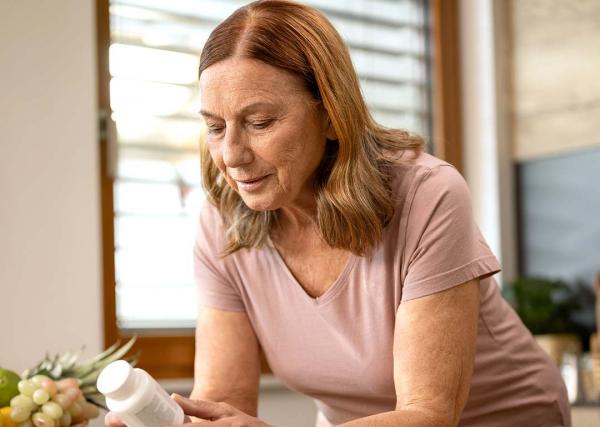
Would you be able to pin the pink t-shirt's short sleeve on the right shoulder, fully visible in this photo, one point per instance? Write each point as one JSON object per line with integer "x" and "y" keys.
{"x": 444, "y": 247}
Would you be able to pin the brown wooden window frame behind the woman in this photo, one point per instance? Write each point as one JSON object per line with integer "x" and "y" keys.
{"x": 171, "y": 355}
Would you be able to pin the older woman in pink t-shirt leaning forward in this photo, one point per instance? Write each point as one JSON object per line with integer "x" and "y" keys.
{"x": 349, "y": 255}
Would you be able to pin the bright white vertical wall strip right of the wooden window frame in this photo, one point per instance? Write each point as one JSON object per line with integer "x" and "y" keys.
{"x": 486, "y": 134}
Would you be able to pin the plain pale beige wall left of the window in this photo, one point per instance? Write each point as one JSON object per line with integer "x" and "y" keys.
{"x": 50, "y": 297}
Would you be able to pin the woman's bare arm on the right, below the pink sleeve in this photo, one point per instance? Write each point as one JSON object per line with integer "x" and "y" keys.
{"x": 434, "y": 351}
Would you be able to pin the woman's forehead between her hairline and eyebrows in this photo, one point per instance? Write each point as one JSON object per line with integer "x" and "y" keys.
{"x": 235, "y": 81}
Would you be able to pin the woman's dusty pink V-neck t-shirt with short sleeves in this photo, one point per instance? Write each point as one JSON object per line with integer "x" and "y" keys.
{"x": 337, "y": 348}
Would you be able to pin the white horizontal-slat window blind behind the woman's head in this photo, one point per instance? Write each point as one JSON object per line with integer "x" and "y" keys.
{"x": 154, "y": 53}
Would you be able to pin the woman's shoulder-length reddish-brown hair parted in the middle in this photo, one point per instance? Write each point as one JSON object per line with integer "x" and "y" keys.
{"x": 353, "y": 182}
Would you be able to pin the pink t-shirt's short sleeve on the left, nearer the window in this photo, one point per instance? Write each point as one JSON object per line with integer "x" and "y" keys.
{"x": 213, "y": 277}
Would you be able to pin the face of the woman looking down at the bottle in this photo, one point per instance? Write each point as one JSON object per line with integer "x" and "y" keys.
{"x": 265, "y": 132}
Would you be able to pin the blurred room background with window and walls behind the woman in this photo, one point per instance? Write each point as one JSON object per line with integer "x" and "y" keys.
{"x": 99, "y": 171}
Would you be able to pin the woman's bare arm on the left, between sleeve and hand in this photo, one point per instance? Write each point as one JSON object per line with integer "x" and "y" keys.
{"x": 227, "y": 363}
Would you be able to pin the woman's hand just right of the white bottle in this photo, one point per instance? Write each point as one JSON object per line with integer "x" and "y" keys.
{"x": 215, "y": 414}
